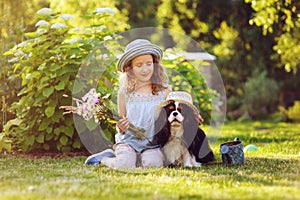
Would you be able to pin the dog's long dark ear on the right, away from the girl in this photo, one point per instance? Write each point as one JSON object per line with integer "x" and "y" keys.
{"x": 190, "y": 124}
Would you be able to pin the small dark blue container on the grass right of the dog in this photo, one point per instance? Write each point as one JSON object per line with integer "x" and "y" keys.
{"x": 232, "y": 153}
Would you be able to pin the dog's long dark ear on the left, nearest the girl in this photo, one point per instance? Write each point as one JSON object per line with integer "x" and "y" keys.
{"x": 161, "y": 128}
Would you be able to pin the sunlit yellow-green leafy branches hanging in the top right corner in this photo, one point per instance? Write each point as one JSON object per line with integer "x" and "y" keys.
{"x": 280, "y": 17}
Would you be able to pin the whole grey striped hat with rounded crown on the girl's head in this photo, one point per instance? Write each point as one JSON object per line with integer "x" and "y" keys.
{"x": 136, "y": 48}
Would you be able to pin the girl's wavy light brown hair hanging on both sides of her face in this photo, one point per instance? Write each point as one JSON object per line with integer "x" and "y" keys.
{"x": 159, "y": 79}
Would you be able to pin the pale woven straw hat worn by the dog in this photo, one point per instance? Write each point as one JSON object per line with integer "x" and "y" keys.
{"x": 181, "y": 97}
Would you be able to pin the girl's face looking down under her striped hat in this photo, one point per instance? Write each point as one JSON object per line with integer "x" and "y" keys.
{"x": 143, "y": 68}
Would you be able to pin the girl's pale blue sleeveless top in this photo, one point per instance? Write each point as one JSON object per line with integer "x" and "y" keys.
{"x": 141, "y": 112}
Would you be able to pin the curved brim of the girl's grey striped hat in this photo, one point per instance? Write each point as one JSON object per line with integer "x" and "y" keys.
{"x": 138, "y": 51}
